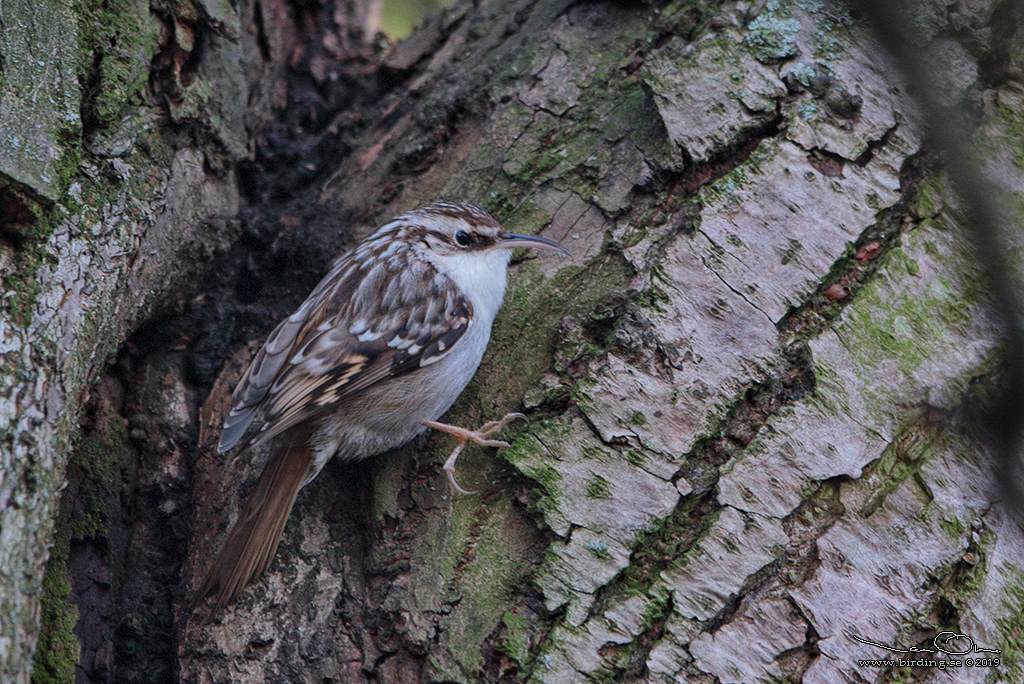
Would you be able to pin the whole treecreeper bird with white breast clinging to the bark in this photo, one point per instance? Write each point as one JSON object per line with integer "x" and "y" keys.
{"x": 380, "y": 350}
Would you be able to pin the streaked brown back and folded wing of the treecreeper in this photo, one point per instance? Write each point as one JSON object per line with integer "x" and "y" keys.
{"x": 357, "y": 329}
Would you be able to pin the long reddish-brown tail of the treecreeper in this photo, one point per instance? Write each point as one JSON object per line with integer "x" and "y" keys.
{"x": 253, "y": 540}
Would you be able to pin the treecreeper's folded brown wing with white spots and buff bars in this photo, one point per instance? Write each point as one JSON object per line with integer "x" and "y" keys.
{"x": 381, "y": 329}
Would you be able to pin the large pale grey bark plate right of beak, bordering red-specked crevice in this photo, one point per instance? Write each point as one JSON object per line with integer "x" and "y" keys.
{"x": 770, "y": 239}
